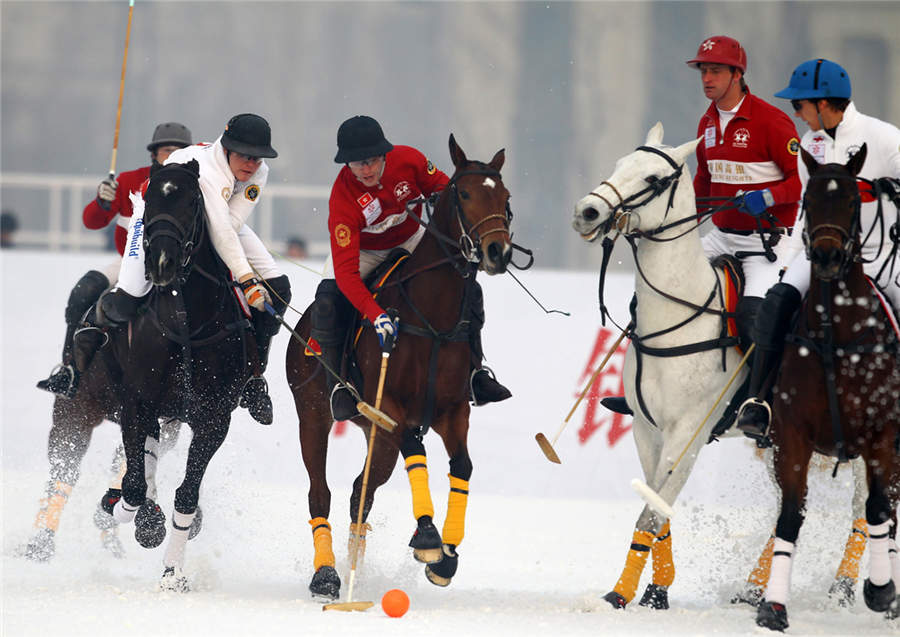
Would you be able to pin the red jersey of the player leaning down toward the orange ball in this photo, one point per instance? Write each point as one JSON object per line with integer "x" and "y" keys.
{"x": 376, "y": 218}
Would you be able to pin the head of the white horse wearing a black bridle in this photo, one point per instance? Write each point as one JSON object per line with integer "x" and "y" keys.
{"x": 630, "y": 199}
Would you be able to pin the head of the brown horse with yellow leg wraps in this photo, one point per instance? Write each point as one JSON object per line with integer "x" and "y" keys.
{"x": 481, "y": 205}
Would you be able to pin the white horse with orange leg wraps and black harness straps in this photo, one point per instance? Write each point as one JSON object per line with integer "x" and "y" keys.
{"x": 650, "y": 199}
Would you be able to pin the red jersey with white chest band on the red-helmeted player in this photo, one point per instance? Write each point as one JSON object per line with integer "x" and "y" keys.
{"x": 757, "y": 150}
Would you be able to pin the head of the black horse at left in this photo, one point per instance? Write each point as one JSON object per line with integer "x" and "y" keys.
{"x": 173, "y": 221}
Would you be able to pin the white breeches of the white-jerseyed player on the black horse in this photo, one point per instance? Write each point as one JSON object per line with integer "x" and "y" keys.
{"x": 132, "y": 277}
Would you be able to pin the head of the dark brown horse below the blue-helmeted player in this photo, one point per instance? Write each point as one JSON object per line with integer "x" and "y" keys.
{"x": 831, "y": 204}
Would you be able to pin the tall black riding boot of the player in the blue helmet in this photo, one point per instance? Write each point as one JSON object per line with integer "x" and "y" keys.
{"x": 772, "y": 324}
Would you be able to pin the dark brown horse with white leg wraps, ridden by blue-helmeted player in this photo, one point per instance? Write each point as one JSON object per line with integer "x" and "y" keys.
{"x": 838, "y": 390}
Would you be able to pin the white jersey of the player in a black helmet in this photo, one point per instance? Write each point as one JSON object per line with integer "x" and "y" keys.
{"x": 228, "y": 201}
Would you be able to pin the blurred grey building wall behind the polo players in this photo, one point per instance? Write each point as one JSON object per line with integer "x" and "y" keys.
{"x": 566, "y": 88}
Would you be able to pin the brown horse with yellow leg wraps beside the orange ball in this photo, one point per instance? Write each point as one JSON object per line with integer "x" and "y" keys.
{"x": 427, "y": 380}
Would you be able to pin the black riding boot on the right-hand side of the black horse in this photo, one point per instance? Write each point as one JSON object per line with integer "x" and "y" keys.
{"x": 255, "y": 395}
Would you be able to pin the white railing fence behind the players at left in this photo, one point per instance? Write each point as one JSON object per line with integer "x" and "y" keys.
{"x": 61, "y": 227}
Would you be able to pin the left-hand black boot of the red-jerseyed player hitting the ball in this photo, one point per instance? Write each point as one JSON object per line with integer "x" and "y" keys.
{"x": 328, "y": 329}
